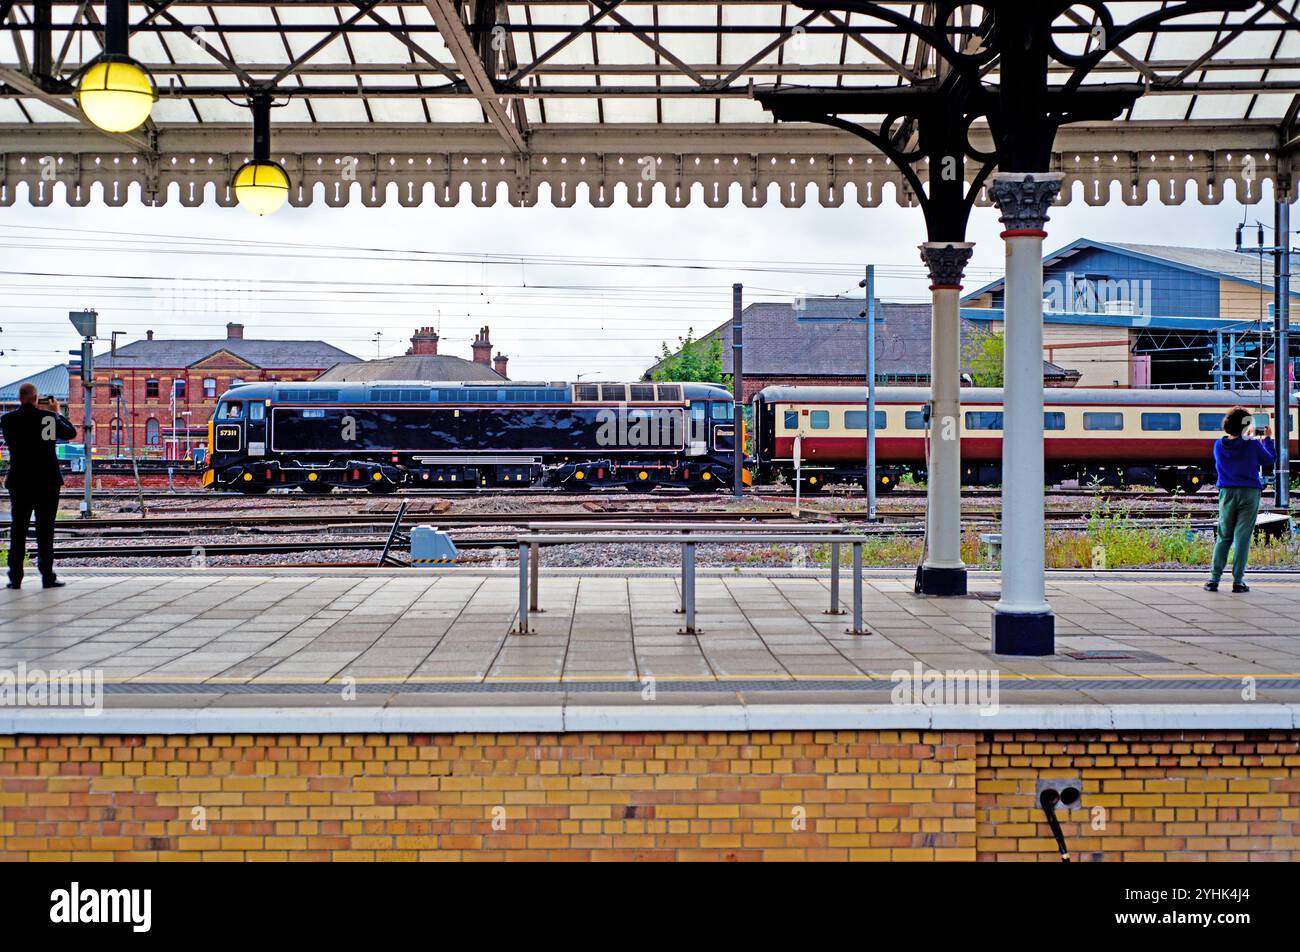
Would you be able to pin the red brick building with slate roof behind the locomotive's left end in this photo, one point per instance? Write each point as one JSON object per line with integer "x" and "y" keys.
{"x": 135, "y": 387}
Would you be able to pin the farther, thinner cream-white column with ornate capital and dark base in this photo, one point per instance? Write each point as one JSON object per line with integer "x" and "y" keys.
{"x": 943, "y": 573}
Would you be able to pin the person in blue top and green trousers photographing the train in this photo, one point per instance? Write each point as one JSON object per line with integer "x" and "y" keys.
{"x": 1238, "y": 458}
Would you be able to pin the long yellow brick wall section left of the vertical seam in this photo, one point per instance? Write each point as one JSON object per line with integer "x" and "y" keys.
{"x": 621, "y": 797}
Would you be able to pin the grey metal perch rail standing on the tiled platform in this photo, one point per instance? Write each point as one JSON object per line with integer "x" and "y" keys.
{"x": 530, "y": 573}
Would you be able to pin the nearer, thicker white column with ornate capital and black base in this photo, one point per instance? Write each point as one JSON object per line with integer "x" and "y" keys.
{"x": 1024, "y": 622}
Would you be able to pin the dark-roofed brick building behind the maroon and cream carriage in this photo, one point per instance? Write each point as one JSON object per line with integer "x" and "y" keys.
{"x": 822, "y": 343}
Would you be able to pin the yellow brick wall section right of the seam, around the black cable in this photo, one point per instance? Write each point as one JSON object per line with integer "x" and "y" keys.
{"x": 1186, "y": 797}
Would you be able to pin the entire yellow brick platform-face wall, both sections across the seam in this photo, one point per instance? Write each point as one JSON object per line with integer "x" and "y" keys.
{"x": 783, "y": 795}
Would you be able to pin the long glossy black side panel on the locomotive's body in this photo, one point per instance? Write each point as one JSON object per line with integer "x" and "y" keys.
{"x": 434, "y": 430}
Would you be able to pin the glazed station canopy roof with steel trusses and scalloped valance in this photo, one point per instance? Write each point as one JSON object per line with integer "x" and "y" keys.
{"x": 418, "y": 101}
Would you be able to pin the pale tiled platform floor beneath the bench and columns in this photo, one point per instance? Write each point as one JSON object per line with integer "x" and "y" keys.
{"x": 246, "y": 637}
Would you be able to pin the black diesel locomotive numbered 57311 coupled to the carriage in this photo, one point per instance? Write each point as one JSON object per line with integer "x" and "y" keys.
{"x": 384, "y": 436}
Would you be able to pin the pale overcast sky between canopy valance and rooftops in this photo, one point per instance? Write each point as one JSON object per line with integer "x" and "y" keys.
{"x": 161, "y": 269}
